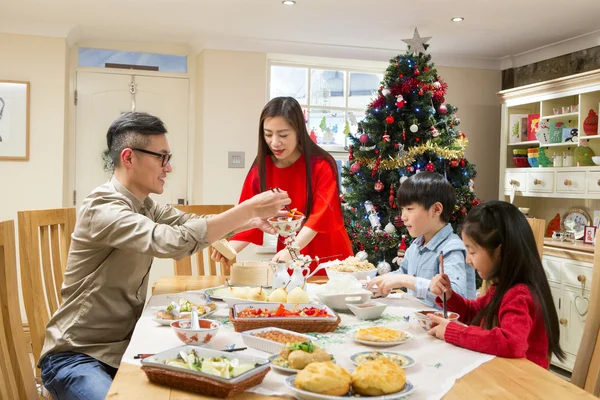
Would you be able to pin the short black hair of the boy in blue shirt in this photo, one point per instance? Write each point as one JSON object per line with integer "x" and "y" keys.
{"x": 426, "y": 189}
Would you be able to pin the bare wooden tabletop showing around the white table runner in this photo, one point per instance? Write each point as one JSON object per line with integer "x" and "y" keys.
{"x": 499, "y": 378}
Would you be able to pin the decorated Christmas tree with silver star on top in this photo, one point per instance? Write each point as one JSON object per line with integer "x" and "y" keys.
{"x": 408, "y": 128}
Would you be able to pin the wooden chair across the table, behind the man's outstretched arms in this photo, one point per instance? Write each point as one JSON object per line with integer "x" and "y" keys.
{"x": 202, "y": 258}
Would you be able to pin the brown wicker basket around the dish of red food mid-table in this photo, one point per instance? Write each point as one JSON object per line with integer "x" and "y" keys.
{"x": 291, "y": 324}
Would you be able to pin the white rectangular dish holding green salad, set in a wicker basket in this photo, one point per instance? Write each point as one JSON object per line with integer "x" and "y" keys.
{"x": 157, "y": 361}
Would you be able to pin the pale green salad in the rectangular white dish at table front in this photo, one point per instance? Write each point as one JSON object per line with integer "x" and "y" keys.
{"x": 218, "y": 366}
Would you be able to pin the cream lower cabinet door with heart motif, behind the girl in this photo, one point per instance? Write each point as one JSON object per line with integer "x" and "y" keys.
{"x": 571, "y": 319}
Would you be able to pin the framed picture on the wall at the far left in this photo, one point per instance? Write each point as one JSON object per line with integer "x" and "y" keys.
{"x": 14, "y": 120}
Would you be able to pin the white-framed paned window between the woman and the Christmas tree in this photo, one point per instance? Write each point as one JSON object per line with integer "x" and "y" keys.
{"x": 335, "y": 99}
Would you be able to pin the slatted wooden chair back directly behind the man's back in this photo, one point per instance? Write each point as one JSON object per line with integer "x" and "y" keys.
{"x": 44, "y": 240}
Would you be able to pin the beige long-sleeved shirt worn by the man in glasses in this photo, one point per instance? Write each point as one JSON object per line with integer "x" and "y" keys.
{"x": 114, "y": 242}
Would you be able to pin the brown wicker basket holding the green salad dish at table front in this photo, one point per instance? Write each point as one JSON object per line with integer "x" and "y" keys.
{"x": 200, "y": 384}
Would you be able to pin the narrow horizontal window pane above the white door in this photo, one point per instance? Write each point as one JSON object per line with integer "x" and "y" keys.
{"x": 102, "y": 58}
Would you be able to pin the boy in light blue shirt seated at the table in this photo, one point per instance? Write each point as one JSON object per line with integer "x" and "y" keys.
{"x": 427, "y": 201}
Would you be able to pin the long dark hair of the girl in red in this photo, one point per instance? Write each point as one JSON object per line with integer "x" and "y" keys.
{"x": 497, "y": 223}
